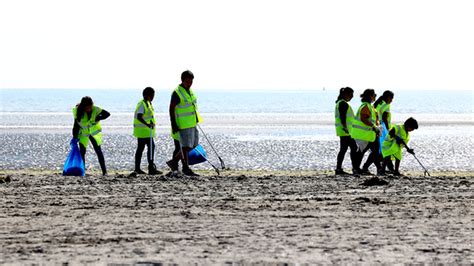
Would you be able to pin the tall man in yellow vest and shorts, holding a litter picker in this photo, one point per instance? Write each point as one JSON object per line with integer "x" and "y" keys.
{"x": 184, "y": 118}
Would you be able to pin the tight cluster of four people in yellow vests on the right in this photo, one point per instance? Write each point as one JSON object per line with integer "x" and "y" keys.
{"x": 370, "y": 128}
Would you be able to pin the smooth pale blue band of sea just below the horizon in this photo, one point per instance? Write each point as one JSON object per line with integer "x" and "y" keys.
{"x": 405, "y": 102}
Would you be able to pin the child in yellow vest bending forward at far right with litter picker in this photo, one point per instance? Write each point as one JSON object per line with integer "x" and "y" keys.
{"x": 398, "y": 137}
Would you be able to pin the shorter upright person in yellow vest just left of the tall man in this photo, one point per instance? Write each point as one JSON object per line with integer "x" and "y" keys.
{"x": 144, "y": 130}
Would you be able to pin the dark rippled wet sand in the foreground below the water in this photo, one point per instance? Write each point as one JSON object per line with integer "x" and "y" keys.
{"x": 239, "y": 217}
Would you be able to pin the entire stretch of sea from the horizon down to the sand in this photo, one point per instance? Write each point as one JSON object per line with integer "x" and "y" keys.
{"x": 251, "y": 129}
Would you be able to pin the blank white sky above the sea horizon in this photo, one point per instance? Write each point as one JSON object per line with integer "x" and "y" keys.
{"x": 237, "y": 45}
